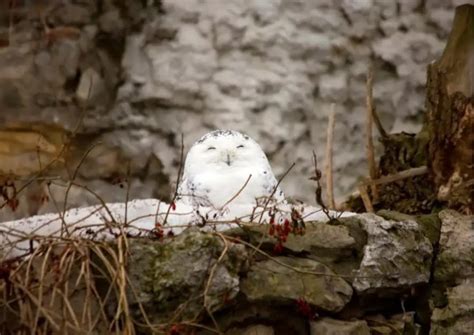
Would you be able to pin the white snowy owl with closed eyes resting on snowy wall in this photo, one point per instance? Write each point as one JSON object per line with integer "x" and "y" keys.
{"x": 222, "y": 163}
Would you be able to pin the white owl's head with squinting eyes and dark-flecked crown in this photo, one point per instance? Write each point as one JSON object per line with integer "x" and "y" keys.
{"x": 224, "y": 150}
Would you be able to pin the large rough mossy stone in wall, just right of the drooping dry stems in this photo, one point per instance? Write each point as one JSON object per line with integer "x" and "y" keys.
{"x": 173, "y": 275}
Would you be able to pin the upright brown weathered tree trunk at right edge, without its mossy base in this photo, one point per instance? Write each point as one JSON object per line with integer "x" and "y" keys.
{"x": 450, "y": 115}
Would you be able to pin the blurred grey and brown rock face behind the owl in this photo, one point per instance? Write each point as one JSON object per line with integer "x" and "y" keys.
{"x": 99, "y": 92}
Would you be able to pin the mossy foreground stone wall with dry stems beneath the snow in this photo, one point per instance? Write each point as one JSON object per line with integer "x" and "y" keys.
{"x": 365, "y": 274}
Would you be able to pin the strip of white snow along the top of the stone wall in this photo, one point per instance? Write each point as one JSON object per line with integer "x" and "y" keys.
{"x": 138, "y": 218}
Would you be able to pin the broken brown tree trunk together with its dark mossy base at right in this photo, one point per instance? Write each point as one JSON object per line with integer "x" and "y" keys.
{"x": 446, "y": 143}
